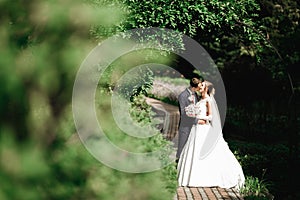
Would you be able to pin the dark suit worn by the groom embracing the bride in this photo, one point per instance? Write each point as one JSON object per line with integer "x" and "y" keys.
{"x": 185, "y": 123}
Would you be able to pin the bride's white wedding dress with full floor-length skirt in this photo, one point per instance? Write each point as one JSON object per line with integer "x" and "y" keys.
{"x": 218, "y": 168}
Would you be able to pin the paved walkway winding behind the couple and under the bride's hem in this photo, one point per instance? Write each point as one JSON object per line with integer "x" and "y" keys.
{"x": 168, "y": 116}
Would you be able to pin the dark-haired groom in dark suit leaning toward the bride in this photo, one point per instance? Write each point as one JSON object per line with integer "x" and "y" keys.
{"x": 185, "y": 98}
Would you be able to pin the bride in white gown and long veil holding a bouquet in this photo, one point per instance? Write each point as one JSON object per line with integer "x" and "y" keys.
{"x": 206, "y": 159}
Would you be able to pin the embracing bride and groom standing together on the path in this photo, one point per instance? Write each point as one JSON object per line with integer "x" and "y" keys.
{"x": 203, "y": 156}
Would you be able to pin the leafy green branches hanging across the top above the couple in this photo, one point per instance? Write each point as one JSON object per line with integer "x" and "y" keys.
{"x": 207, "y": 21}
